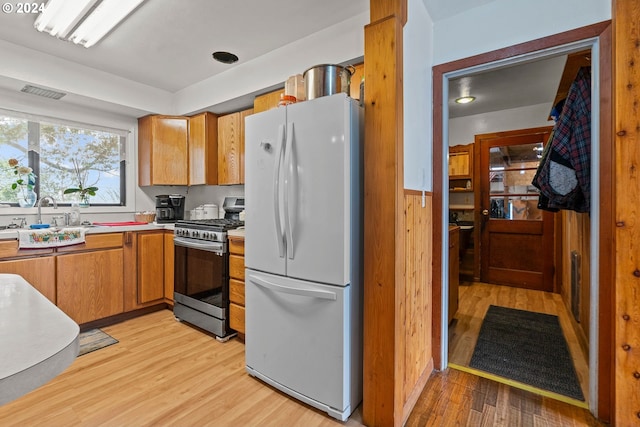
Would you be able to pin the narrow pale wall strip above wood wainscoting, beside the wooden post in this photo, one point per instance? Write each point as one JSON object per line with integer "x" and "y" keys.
{"x": 418, "y": 141}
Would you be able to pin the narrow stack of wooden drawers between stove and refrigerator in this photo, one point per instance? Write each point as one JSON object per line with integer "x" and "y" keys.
{"x": 236, "y": 284}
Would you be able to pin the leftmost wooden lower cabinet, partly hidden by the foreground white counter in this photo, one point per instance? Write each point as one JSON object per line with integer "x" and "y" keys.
{"x": 38, "y": 271}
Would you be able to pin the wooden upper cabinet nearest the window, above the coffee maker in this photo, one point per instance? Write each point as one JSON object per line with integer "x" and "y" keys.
{"x": 163, "y": 150}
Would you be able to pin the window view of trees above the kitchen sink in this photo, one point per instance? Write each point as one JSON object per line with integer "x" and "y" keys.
{"x": 62, "y": 157}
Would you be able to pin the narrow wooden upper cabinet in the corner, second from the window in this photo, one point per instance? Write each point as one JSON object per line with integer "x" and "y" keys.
{"x": 203, "y": 149}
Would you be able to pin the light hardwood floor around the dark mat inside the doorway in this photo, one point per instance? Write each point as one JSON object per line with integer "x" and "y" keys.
{"x": 475, "y": 299}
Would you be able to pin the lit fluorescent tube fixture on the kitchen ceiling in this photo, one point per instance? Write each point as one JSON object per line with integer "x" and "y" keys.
{"x": 86, "y": 20}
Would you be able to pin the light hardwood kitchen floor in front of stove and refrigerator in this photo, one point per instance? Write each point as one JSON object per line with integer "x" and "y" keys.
{"x": 161, "y": 373}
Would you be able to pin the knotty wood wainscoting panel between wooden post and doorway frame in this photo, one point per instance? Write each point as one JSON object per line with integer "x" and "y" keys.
{"x": 418, "y": 349}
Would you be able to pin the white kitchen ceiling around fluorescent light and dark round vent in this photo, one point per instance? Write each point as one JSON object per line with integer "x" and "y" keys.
{"x": 168, "y": 44}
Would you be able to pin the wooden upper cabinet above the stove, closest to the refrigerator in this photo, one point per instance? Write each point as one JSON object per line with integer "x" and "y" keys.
{"x": 231, "y": 148}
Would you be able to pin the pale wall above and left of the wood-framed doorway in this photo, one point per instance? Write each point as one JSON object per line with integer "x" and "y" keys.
{"x": 492, "y": 26}
